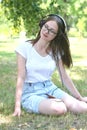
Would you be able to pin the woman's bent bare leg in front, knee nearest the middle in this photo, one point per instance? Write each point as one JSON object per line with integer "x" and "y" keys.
{"x": 52, "y": 107}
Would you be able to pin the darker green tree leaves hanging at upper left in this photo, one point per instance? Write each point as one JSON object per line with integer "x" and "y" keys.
{"x": 22, "y": 12}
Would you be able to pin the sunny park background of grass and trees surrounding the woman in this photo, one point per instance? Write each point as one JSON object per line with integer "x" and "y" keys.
{"x": 19, "y": 21}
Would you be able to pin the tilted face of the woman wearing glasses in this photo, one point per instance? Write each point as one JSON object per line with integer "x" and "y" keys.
{"x": 49, "y": 31}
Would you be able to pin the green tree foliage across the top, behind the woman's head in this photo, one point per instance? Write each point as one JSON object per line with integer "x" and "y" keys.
{"x": 28, "y": 13}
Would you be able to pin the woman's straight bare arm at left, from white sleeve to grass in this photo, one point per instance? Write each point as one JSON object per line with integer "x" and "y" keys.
{"x": 20, "y": 81}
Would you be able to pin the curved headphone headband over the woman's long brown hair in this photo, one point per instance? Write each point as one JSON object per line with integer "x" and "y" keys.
{"x": 42, "y": 22}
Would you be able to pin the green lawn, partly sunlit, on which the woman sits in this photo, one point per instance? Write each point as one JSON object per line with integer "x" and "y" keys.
{"x": 33, "y": 121}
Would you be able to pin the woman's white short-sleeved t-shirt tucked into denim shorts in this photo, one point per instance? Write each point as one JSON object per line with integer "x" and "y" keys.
{"x": 38, "y": 68}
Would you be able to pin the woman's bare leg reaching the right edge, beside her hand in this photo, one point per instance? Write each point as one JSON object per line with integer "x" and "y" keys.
{"x": 75, "y": 105}
